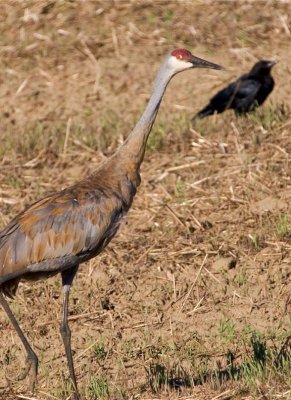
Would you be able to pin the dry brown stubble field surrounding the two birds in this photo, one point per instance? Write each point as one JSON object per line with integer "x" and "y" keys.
{"x": 192, "y": 299}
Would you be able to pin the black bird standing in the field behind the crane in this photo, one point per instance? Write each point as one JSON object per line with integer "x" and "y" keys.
{"x": 245, "y": 94}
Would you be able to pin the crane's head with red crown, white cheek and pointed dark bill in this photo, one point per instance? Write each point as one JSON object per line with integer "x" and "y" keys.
{"x": 182, "y": 59}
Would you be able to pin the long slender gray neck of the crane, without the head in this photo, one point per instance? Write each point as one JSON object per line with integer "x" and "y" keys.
{"x": 134, "y": 146}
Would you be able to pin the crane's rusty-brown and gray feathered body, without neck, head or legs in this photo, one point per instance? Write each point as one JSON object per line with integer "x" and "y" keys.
{"x": 66, "y": 228}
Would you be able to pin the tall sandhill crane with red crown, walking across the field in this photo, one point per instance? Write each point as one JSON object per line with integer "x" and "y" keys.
{"x": 61, "y": 231}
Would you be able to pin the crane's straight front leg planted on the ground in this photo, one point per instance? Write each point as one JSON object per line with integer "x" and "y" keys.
{"x": 67, "y": 278}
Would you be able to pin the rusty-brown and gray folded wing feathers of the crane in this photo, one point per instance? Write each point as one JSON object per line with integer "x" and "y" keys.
{"x": 68, "y": 224}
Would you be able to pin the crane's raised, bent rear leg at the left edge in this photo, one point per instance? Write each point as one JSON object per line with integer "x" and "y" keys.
{"x": 31, "y": 360}
